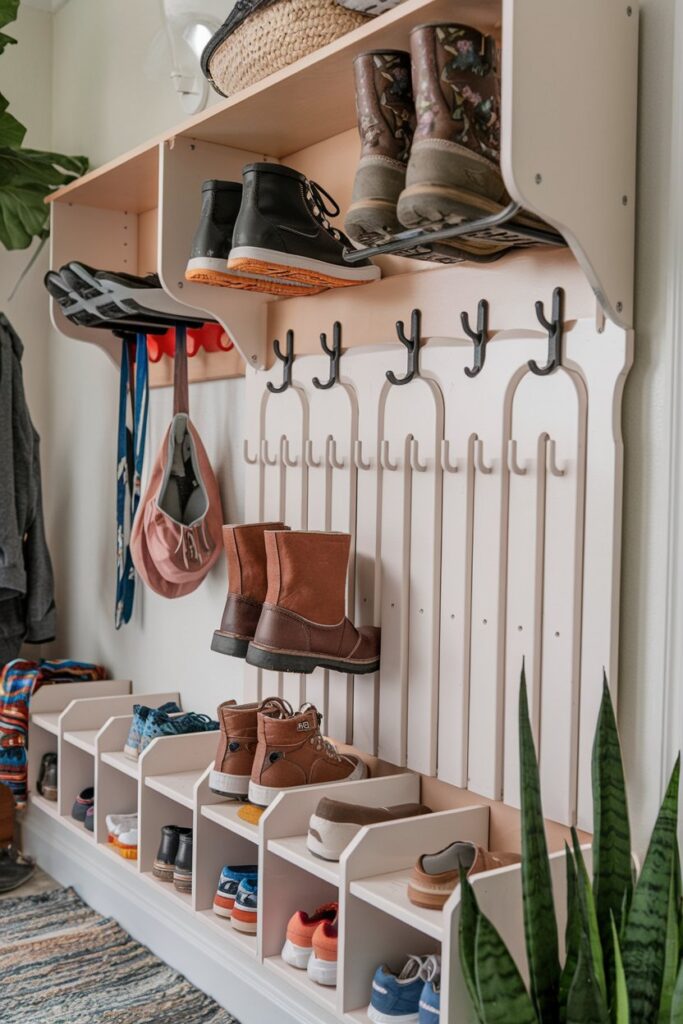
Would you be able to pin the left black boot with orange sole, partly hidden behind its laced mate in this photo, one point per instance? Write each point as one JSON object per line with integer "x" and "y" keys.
{"x": 214, "y": 242}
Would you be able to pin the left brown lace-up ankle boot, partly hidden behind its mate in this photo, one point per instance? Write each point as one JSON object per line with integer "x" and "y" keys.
{"x": 237, "y": 747}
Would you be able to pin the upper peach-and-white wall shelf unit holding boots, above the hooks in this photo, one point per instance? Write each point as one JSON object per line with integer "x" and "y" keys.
{"x": 565, "y": 157}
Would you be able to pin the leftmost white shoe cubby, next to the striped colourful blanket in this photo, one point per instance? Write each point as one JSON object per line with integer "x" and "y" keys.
{"x": 47, "y": 708}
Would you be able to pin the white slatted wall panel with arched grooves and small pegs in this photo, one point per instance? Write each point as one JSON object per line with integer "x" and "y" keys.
{"x": 484, "y": 501}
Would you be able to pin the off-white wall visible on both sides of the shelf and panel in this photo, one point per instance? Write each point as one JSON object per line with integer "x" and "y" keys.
{"x": 103, "y": 105}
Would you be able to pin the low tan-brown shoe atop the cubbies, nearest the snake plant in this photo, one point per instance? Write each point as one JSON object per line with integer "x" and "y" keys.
{"x": 437, "y": 875}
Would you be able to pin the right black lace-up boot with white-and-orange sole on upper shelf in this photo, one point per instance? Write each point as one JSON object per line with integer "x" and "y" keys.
{"x": 283, "y": 232}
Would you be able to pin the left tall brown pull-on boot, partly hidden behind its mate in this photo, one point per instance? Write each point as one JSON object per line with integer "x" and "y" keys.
{"x": 247, "y": 585}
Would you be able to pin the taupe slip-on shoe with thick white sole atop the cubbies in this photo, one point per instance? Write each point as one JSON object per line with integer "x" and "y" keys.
{"x": 335, "y": 824}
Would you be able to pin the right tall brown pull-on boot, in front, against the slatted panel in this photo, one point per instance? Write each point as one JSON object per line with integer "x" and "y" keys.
{"x": 304, "y": 626}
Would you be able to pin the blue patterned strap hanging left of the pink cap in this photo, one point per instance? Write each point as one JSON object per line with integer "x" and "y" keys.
{"x": 134, "y": 410}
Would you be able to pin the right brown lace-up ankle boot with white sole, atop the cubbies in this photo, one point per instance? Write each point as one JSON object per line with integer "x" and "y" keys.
{"x": 292, "y": 752}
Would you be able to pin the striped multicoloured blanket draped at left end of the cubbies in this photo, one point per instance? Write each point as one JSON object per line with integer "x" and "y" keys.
{"x": 19, "y": 681}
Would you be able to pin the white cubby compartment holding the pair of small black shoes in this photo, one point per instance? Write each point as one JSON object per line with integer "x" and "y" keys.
{"x": 170, "y": 771}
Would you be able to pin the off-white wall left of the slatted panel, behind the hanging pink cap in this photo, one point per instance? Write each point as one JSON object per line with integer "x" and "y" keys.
{"x": 103, "y": 105}
